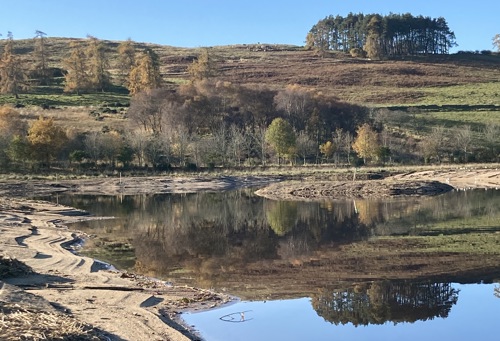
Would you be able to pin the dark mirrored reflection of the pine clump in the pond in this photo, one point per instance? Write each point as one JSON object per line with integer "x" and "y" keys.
{"x": 381, "y": 302}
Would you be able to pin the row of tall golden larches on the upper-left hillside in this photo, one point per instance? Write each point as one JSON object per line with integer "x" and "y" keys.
{"x": 85, "y": 69}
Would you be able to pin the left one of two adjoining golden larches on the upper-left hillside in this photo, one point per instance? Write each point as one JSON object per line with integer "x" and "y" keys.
{"x": 76, "y": 79}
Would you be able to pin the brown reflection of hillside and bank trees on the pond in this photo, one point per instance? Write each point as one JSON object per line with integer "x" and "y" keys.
{"x": 255, "y": 247}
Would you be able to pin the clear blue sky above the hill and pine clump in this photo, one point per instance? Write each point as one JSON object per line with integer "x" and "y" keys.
{"x": 201, "y": 23}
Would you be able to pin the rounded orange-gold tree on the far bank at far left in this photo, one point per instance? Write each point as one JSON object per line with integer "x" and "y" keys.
{"x": 46, "y": 139}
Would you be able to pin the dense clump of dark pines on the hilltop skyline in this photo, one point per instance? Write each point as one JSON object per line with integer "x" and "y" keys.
{"x": 392, "y": 35}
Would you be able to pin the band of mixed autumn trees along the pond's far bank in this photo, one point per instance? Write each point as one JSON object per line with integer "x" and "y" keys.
{"x": 163, "y": 135}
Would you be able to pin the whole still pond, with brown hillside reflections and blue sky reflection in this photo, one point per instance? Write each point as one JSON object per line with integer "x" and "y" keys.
{"x": 332, "y": 269}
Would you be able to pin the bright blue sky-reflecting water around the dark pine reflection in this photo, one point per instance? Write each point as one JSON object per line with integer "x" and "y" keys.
{"x": 474, "y": 318}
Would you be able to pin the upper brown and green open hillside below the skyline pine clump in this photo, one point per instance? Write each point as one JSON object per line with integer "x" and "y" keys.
{"x": 459, "y": 79}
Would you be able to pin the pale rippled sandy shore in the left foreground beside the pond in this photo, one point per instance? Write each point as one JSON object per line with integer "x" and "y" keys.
{"x": 123, "y": 306}
